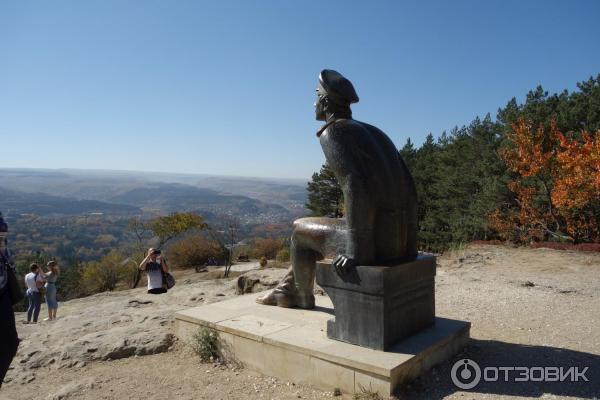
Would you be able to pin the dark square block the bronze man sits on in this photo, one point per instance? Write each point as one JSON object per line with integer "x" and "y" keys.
{"x": 378, "y": 306}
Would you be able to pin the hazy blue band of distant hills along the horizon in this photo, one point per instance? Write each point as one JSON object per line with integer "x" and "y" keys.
{"x": 72, "y": 192}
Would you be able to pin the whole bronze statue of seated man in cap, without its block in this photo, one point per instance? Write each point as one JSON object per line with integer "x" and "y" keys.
{"x": 380, "y": 223}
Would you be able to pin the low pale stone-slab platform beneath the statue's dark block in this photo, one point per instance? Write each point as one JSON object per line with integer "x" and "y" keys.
{"x": 292, "y": 344}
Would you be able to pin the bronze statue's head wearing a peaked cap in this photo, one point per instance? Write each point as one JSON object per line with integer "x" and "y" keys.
{"x": 334, "y": 95}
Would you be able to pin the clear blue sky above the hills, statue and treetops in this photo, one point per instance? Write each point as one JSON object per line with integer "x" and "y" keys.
{"x": 227, "y": 87}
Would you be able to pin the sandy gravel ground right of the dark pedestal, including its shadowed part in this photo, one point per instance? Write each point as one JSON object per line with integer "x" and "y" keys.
{"x": 528, "y": 307}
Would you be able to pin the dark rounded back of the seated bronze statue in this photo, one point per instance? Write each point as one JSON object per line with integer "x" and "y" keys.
{"x": 386, "y": 183}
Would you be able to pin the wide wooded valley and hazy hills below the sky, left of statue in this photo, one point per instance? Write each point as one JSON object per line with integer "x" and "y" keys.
{"x": 83, "y": 215}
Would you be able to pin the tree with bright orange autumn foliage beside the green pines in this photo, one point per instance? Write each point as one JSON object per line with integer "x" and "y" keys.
{"x": 556, "y": 185}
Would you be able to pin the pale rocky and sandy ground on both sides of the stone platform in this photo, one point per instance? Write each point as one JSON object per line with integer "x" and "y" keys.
{"x": 528, "y": 308}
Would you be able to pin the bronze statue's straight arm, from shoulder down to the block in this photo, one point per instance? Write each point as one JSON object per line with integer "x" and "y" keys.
{"x": 343, "y": 156}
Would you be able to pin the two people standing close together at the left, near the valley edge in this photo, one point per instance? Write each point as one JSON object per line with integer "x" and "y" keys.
{"x": 38, "y": 283}
